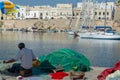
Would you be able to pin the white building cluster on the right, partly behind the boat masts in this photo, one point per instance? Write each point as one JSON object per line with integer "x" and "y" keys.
{"x": 98, "y": 10}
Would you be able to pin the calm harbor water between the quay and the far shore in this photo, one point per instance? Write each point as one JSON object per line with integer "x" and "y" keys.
{"x": 101, "y": 53}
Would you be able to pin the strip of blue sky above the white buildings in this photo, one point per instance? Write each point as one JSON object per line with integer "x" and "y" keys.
{"x": 48, "y": 2}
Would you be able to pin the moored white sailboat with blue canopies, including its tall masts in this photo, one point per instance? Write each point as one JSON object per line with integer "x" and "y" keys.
{"x": 105, "y": 34}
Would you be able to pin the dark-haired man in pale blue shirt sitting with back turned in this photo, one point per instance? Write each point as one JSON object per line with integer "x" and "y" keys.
{"x": 26, "y": 57}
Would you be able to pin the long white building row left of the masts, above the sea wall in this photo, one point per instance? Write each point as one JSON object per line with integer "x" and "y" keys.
{"x": 45, "y": 12}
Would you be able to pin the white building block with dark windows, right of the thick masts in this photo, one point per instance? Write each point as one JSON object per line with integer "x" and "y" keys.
{"x": 104, "y": 10}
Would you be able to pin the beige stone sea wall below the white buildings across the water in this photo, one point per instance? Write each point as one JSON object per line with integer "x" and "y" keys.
{"x": 55, "y": 24}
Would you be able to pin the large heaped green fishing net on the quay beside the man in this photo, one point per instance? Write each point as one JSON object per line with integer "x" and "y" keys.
{"x": 69, "y": 59}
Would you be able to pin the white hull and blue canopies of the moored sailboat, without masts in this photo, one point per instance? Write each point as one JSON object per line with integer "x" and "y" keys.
{"x": 106, "y": 35}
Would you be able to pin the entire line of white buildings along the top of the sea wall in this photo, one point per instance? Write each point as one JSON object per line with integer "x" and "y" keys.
{"x": 94, "y": 11}
